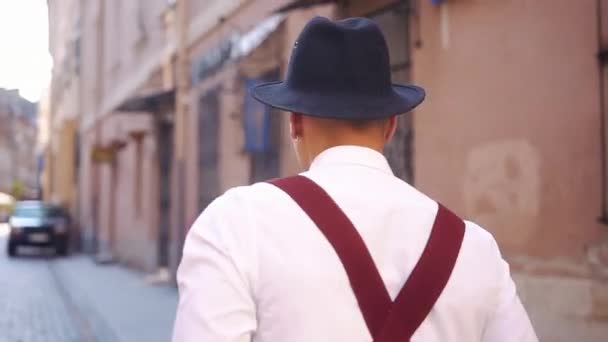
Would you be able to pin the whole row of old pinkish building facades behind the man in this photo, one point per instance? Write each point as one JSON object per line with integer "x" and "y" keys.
{"x": 509, "y": 135}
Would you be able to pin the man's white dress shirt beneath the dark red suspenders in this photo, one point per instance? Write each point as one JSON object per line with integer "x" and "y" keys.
{"x": 256, "y": 268}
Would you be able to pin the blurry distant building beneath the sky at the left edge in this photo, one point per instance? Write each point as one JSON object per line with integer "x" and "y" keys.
{"x": 18, "y": 129}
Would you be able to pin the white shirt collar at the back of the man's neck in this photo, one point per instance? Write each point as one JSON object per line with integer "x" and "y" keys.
{"x": 352, "y": 155}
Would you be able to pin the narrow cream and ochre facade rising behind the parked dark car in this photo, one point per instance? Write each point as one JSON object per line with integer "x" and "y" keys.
{"x": 60, "y": 112}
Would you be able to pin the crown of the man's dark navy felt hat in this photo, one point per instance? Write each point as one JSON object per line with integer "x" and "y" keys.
{"x": 348, "y": 56}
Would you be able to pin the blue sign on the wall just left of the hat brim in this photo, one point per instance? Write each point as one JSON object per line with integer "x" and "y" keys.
{"x": 256, "y": 122}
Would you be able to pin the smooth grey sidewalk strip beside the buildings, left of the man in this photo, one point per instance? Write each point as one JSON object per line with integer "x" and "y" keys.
{"x": 115, "y": 303}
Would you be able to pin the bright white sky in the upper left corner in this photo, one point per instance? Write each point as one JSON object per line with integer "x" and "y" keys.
{"x": 25, "y": 62}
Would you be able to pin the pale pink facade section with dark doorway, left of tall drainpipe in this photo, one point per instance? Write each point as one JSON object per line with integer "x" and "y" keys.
{"x": 125, "y": 45}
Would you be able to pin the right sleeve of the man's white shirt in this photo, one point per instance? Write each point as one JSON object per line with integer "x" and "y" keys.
{"x": 507, "y": 320}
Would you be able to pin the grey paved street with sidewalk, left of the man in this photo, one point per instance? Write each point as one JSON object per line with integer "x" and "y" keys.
{"x": 49, "y": 299}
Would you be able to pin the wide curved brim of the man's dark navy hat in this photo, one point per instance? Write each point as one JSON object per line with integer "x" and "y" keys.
{"x": 401, "y": 99}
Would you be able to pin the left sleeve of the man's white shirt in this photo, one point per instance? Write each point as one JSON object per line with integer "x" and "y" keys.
{"x": 215, "y": 300}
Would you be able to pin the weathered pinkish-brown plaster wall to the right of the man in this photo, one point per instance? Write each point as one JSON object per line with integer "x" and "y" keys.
{"x": 509, "y": 137}
